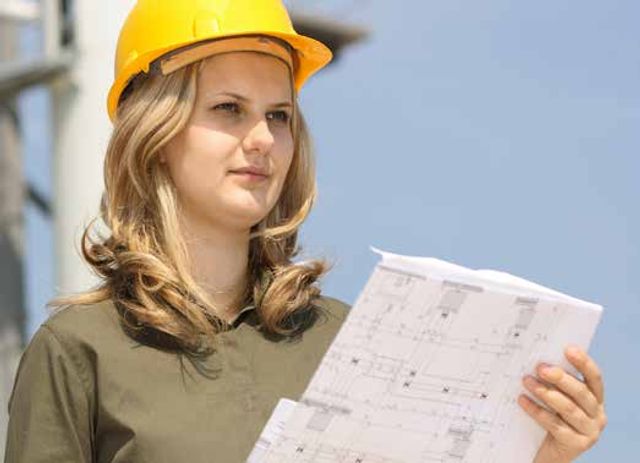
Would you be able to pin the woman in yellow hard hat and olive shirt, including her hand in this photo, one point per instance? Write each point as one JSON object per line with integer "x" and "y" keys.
{"x": 203, "y": 321}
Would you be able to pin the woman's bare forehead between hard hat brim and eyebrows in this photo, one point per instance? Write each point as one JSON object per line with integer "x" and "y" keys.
{"x": 246, "y": 73}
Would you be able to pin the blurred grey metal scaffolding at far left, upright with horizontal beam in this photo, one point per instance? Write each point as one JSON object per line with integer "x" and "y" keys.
{"x": 16, "y": 75}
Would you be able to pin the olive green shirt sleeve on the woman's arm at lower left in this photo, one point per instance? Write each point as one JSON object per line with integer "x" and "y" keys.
{"x": 50, "y": 410}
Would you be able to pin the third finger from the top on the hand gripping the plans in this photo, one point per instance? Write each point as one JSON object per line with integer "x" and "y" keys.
{"x": 568, "y": 410}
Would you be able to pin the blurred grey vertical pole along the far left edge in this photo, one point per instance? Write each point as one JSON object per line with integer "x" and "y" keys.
{"x": 11, "y": 228}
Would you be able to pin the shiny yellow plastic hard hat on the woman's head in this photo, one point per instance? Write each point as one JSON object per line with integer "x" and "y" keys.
{"x": 157, "y": 28}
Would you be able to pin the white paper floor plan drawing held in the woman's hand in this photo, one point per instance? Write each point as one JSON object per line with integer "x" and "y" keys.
{"x": 427, "y": 368}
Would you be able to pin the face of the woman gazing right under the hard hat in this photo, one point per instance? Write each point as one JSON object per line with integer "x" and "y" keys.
{"x": 230, "y": 162}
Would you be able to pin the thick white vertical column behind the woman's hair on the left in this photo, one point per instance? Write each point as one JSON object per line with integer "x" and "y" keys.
{"x": 82, "y": 131}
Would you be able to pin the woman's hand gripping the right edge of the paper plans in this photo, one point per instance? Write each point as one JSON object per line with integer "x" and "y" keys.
{"x": 579, "y": 417}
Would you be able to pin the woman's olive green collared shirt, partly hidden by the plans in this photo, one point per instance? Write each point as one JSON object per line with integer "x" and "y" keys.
{"x": 87, "y": 392}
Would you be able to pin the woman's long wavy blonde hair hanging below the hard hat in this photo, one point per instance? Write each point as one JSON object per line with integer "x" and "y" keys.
{"x": 142, "y": 260}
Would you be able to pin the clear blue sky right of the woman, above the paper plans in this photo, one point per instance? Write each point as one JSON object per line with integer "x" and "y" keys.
{"x": 496, "y": 134}
